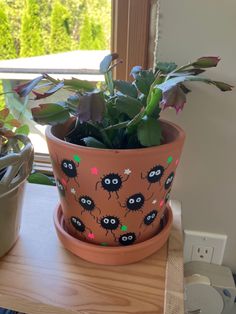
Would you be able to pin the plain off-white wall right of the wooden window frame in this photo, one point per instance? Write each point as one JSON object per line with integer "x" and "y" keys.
{"x": 206, "y": 180}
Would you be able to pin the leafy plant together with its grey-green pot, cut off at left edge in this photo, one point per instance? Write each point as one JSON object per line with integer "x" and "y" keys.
{"x": 16, "y": 158}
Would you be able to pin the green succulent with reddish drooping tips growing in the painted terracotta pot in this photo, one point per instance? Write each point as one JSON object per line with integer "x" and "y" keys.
{"x": 120, "y": 114}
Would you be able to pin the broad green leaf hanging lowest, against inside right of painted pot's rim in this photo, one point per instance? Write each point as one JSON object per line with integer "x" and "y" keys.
{"x": 149, "y": 132}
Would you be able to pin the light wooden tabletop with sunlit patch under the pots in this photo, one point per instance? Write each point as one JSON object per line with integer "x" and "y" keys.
{"x": 40, "y": 276}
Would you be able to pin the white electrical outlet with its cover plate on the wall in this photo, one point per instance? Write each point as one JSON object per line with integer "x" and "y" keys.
{"x": 203, "y": 246}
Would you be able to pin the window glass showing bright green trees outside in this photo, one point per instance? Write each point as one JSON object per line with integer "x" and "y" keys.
{"x": 63, "y": 37}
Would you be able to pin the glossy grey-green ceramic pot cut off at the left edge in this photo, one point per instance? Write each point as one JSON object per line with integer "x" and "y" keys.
{"x": 14, "y": 170}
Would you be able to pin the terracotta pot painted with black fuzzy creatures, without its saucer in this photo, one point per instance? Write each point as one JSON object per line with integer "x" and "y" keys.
{"x": 114, "y": 197}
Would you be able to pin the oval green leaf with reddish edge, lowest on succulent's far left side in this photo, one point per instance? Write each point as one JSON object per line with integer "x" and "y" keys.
{"x": 50, "y": 114}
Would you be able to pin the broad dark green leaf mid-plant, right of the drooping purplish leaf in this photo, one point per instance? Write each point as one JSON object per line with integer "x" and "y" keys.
{"x": 128, "y": 105}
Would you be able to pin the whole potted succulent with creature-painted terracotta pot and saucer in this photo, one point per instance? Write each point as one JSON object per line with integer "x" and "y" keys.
{"x": 114, "y": 159}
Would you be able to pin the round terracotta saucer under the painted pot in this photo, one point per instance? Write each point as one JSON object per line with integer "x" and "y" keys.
{"x": 113, "y": 255}
